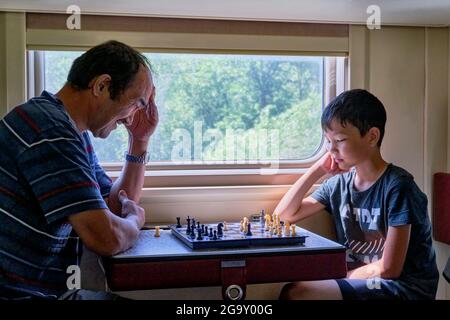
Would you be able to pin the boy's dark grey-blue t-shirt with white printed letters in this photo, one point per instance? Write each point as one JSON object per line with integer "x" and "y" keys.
{"x": 362, "y": 220}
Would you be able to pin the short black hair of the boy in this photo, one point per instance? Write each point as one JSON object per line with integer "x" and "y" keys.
{"x": 357, "y": 107}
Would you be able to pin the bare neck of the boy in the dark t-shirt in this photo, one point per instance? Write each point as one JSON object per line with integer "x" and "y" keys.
{"x": 369, "y": 171}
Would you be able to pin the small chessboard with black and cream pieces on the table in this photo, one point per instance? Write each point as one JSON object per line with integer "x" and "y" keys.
{"x": 231, "y": 236}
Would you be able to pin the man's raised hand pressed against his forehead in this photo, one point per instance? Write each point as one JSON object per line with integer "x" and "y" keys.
{"x": 144, "y": 121}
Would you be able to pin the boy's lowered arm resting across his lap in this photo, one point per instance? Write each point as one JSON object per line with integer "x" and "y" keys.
{"x": 390, "y": 265}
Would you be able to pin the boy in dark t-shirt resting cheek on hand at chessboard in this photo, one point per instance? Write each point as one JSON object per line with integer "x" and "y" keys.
{"x": 379, "y": 212}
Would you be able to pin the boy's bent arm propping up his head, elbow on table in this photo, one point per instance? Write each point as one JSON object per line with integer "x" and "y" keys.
{"x": 293, "y": 207}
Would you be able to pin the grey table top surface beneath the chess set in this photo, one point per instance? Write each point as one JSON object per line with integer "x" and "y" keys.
{"x": 168, "y": 247}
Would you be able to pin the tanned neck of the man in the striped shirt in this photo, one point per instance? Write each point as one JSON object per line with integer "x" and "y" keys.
{"x": 76, "y": 105}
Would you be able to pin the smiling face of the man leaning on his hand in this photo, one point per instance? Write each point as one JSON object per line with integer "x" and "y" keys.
{"x": 110, "y": 113}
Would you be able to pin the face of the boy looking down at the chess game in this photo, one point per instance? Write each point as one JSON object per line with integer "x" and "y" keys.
{"x": 347, "y": 146}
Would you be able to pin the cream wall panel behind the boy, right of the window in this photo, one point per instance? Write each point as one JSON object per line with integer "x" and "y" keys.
{"x": 407, "y": 68}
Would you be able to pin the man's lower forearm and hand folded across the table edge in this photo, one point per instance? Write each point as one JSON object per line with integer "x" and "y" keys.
{"x": 104, "y": 232}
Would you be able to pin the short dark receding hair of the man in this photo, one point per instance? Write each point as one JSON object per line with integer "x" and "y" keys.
{"x": 117, "y": 59}
